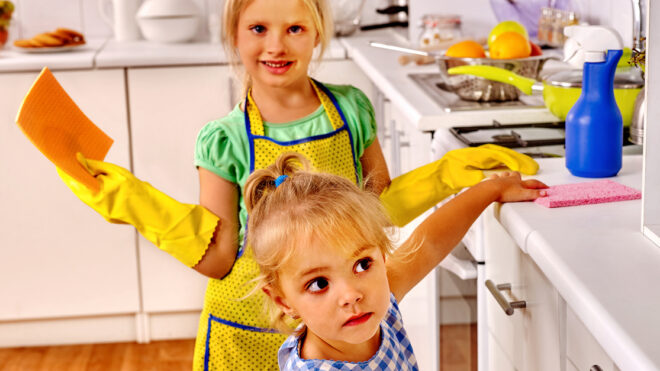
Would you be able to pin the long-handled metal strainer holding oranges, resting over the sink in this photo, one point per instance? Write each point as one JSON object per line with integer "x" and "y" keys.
{"x": 474, "y": 88}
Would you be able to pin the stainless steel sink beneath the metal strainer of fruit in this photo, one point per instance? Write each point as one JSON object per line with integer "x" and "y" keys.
{"x": 433, "y": 85}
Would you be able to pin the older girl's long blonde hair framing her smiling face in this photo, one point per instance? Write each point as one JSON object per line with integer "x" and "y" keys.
{"x": 321, "y": 15}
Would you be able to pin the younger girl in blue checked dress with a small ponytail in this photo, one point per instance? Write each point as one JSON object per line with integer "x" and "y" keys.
{"x": 325, "y": 259}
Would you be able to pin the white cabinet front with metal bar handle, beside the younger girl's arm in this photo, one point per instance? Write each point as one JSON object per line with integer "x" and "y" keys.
{"x": 530, "y": 337}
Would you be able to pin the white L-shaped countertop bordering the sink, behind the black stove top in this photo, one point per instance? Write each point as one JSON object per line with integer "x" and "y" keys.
{"x": 423, "y": 112}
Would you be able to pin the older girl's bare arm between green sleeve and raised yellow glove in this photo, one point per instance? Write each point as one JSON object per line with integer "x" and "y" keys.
{"x": 219, "y": 196}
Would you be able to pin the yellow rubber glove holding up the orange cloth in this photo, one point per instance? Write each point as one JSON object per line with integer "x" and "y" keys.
{"x": 182, "y": 230}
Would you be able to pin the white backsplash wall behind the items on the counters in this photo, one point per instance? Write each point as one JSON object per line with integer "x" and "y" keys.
{"x": 36, "y": 16}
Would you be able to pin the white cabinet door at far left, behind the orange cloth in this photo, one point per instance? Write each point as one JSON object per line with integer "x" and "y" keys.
{"x": 59, "y": 258}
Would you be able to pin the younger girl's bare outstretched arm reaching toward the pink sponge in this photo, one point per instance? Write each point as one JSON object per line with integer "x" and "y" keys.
{"x": 443, "y": 230}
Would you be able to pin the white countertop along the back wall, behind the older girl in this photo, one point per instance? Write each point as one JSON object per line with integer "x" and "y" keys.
{"x": 101, "y": 53}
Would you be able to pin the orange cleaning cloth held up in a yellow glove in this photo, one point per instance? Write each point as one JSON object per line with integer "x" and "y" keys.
{"x": 59, "y": 129}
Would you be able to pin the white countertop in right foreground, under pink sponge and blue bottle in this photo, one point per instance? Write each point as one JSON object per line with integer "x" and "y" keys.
{"x": 600, "y": 263}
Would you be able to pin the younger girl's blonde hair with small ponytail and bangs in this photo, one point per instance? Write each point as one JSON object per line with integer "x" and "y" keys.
{"x": 327, "y": 207}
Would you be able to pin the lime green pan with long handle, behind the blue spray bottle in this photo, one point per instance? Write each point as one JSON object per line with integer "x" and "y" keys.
{"x": 562, "y": 89}
